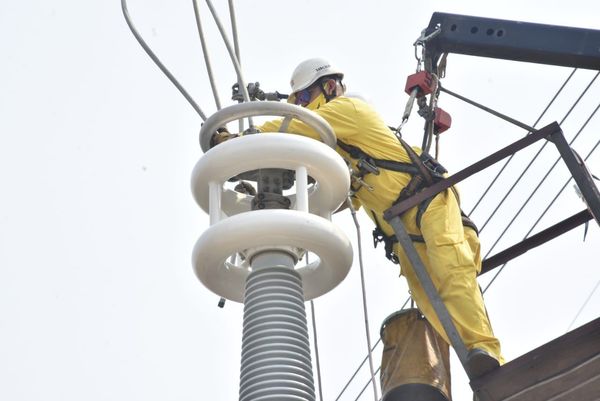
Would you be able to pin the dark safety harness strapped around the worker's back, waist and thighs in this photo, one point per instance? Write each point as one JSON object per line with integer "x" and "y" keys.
{"x": 424, "y": 171}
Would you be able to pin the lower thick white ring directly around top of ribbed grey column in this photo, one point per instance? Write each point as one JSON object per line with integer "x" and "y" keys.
{"x": 271, "y": 229}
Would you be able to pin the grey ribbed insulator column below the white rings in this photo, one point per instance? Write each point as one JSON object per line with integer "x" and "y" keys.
{"x": 276, "y": 361}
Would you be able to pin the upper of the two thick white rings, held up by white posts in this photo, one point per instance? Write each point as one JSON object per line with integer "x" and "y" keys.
{"x": 272, "y": 150}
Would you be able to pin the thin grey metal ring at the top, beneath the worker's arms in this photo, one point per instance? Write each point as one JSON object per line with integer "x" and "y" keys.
{"x": 238, "y": 111}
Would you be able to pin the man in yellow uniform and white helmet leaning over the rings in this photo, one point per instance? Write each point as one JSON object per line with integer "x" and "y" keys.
{"x": 449, "y": 250}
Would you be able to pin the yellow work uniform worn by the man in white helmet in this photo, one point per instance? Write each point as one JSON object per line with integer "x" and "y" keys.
{"x": 450, "y": 252}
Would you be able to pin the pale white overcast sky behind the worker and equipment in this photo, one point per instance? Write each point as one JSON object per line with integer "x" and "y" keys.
{"x": 98, "y": 299}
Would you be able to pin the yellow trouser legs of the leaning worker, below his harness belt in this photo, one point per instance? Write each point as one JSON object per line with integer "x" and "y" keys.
{"x": 451, "y": 255}
